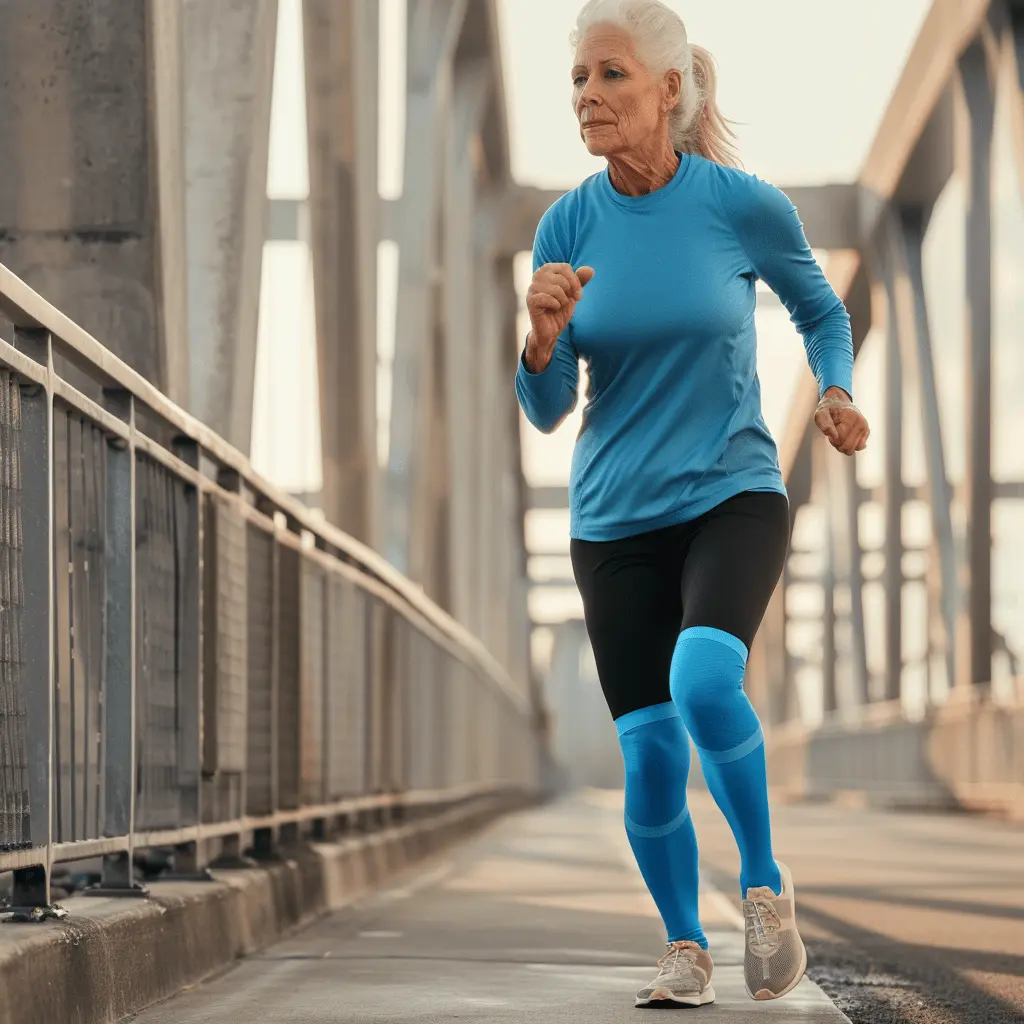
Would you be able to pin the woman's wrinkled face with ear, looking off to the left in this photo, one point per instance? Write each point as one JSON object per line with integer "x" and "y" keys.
{"x": 620, "y": 106}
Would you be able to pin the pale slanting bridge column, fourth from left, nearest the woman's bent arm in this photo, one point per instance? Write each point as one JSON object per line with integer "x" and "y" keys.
{"x": 434, "y": 31}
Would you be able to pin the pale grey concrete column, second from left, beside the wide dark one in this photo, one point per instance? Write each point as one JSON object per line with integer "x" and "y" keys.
{"x": 229, "y": 60}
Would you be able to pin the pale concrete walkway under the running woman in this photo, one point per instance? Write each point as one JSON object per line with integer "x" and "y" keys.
{"x": 543, "y": 918}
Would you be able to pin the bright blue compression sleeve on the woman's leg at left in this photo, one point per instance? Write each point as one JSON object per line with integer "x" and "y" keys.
{"x": 657, "y": 756}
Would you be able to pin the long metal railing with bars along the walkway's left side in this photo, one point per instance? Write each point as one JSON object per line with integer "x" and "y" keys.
{"x": 189, "y": 659}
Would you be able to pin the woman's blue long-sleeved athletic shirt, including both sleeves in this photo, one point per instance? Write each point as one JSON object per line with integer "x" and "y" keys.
{"x": 673, "y": 423}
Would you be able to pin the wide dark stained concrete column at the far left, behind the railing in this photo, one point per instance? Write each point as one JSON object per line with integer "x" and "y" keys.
{"x": 93, "y": 190}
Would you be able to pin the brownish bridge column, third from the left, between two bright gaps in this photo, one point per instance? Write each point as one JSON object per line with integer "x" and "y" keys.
{"x": 342, "y": 56}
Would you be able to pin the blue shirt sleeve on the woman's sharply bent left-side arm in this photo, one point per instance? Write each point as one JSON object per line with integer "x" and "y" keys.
{"x": 549, "y": 397}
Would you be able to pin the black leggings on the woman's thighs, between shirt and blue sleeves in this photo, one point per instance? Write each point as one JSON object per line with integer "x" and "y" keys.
{"x": 639, "y": 592}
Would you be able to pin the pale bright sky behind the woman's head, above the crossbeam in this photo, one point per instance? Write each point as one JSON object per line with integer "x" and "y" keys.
{"x": 807, "y": 80}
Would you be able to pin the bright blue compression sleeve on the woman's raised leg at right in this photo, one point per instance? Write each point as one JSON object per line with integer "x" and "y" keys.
{"x": 708, "y": 689}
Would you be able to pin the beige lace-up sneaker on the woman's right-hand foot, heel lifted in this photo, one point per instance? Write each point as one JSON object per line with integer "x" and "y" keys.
{"x": 776, "y": 958}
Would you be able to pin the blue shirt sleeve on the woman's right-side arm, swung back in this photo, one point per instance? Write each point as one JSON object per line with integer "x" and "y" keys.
{"x": 773, "y": 237}
